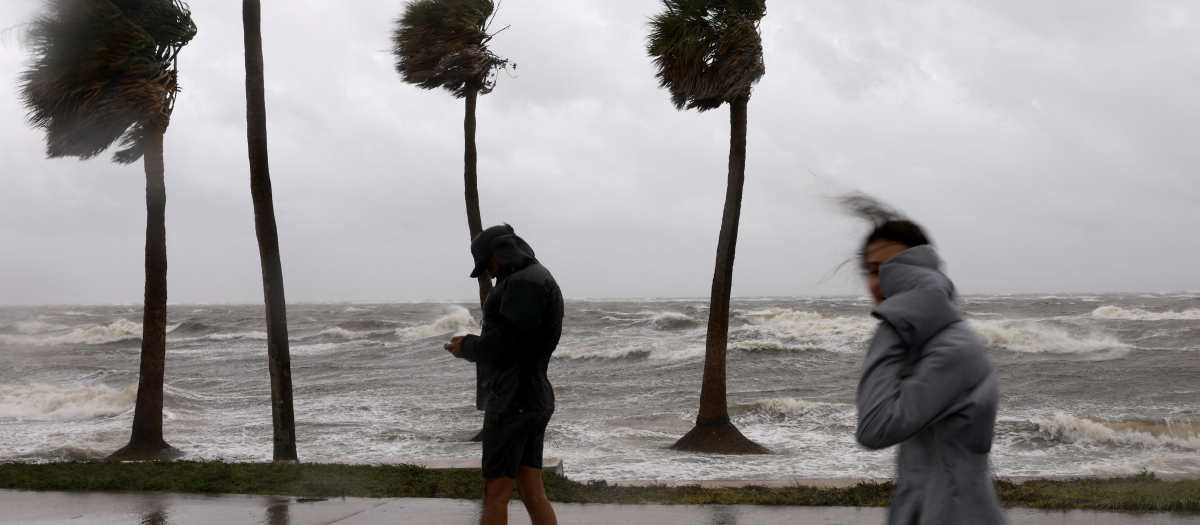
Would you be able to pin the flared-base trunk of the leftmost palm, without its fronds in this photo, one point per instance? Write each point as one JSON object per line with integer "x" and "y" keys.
{"x": 146, "y": 440}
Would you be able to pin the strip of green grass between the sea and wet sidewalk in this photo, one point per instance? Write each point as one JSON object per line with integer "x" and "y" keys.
{"x": 311, "y": 480}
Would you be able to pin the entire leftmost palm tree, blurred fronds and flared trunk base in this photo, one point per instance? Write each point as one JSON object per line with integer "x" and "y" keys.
{"x": 105, "y": 71}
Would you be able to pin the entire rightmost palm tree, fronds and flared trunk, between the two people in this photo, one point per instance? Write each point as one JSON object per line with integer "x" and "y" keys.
{"x": 709, "y": 53}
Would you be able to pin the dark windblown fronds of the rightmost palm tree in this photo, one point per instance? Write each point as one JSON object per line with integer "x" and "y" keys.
{"x": 707, "y": 52}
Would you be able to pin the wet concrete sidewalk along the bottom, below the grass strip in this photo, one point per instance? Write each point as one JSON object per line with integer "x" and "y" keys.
{"x": 29, "y": 508}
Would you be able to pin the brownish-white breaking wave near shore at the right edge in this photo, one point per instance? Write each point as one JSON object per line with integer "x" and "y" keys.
{"x": 1150, "y": 433}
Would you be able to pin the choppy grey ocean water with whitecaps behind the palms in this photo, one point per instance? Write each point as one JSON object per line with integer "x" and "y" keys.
{"x": 1090, "y": 384}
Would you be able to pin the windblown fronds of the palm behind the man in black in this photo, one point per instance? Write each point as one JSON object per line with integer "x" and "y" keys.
{"x": 443, "y": 44}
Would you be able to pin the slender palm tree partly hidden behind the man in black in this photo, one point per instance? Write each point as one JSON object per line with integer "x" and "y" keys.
{"x": 443, "y": 44}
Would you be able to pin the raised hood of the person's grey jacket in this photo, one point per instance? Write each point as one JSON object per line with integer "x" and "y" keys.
{"x": 920, "y": 297}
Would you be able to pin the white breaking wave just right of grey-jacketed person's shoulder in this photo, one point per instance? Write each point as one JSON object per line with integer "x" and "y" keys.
{"x": 1040, "y": 339}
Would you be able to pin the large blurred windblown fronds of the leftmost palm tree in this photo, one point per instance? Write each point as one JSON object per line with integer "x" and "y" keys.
{"x": 104, "y": 71}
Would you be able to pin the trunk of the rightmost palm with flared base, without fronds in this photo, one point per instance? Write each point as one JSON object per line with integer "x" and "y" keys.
{"x": 715, "y": 432}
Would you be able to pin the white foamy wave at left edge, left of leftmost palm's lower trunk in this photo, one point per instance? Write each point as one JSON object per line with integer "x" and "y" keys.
{"x": 49, "y": 402}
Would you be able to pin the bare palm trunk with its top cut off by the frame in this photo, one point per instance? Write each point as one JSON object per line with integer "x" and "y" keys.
{"x": 278, "y": 355}
